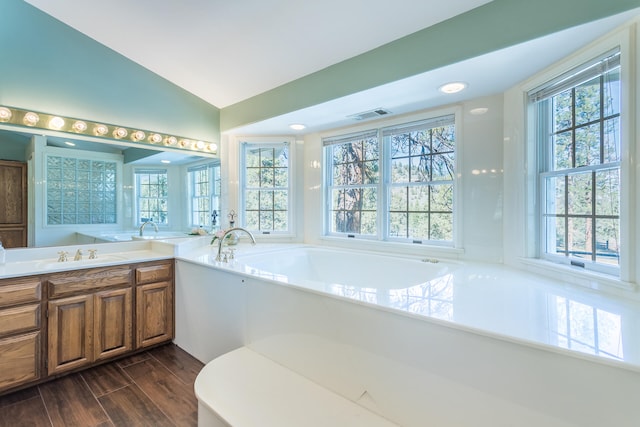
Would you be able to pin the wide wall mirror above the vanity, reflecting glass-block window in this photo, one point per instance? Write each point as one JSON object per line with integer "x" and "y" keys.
{"x": 79, "y": 191}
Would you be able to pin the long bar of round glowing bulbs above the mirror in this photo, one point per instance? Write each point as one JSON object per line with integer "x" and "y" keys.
{"x": 20, "y": 117}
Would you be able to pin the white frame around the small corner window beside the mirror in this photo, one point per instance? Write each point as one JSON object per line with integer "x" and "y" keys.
{"x": 267, "y": 142}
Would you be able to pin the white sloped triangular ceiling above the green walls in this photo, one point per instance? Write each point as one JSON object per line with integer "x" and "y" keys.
{"x": 227, "y": 51}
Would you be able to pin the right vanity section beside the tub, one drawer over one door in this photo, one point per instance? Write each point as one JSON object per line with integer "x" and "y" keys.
{"x": 154, "y": 304}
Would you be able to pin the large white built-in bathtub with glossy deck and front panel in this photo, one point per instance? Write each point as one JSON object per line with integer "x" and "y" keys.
{"x": 412, "y": 340}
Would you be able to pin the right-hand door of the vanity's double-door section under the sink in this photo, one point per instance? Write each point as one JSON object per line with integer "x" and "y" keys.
{"x": 112, "y": 323}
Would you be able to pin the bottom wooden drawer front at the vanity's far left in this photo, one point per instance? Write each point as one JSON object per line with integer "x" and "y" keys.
{"x": 20, "y": 356}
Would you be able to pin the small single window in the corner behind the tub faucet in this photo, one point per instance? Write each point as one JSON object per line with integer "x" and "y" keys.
{"x": 266, "y": 187}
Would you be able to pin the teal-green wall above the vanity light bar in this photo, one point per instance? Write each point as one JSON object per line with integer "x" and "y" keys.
{"x": 48, "y": 66}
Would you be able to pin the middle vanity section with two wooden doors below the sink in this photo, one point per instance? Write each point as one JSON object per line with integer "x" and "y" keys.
{"x": 90, "y": 317}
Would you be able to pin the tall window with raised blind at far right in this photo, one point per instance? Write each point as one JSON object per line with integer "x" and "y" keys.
{"x": 577, "y": 124}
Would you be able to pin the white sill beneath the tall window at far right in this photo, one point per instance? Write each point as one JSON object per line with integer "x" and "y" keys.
{"x": 576, "y": 275}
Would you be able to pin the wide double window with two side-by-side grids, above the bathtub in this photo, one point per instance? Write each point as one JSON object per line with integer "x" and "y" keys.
{"x": 402, "y": 190}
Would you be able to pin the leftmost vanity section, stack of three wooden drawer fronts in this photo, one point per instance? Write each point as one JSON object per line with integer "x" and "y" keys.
{"x": 20, "y": 331}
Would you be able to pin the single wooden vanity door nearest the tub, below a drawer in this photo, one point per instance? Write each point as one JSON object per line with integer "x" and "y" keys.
{"x": 154, "y": 313}
